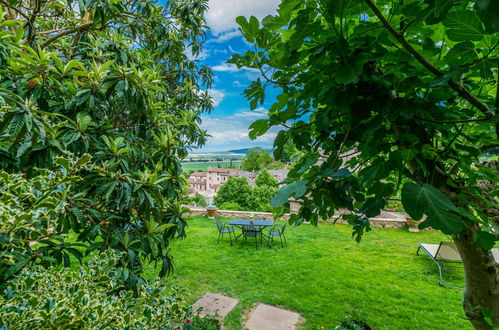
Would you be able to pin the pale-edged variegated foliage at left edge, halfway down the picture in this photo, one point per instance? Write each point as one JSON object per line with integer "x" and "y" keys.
{"x": 28, "y": 213}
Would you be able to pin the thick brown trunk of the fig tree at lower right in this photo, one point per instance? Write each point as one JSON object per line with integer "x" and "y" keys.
{"x": 481, "y": 293}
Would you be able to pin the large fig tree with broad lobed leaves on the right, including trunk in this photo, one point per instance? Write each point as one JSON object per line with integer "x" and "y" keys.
{"x": 410, "y": 90}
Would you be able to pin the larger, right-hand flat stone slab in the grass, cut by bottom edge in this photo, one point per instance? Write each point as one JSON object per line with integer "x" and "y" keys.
{"x": 271, "y": 318}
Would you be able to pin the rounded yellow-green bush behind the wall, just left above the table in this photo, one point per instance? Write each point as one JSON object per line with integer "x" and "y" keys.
{"x": 236, "y": 190}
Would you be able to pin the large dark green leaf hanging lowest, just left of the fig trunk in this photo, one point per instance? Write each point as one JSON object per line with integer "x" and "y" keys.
{"x": 441, "y": 213}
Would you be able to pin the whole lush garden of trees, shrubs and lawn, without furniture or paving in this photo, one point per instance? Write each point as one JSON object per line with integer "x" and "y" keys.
{"x": 364, "y": 100}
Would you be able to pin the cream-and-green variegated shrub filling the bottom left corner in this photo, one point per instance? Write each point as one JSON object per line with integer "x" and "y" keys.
{"x": 92, "y": 297}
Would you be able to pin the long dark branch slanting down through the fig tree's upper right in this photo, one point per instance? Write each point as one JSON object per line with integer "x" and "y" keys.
{"x": 459, "y": 89}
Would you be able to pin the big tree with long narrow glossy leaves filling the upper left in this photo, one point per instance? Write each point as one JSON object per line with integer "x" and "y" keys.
{"x": 101, "y": 93}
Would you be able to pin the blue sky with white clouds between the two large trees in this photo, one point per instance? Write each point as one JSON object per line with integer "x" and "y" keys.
{"x": 229, "y": 121}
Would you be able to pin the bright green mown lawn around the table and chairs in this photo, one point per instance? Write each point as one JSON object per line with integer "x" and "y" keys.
{"x": 322, "y": 274}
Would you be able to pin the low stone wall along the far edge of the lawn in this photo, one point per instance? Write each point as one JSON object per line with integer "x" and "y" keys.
{"x": 380, "y": 222}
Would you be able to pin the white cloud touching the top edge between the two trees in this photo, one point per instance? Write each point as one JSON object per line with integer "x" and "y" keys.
{"x": 221, "y": 16}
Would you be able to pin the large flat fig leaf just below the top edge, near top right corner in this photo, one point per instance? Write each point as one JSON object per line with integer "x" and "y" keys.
{"x": 463, "y": 25}
